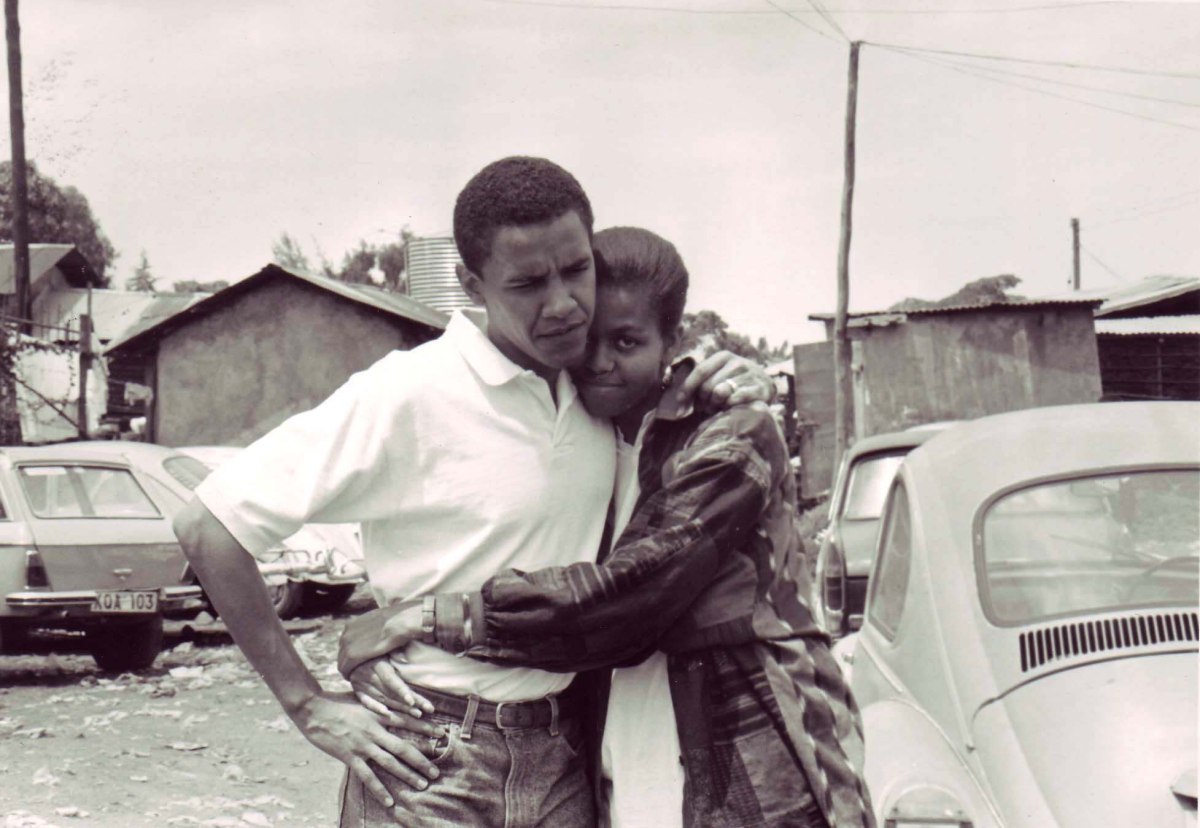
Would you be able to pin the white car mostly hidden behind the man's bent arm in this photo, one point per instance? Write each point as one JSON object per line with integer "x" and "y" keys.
{"x": 319, "y": 568}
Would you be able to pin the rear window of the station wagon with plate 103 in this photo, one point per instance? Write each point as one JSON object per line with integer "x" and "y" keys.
{"x": 85, "y": 491}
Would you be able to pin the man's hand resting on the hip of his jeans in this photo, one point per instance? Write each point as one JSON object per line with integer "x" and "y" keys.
{"x": 361, "y": 740}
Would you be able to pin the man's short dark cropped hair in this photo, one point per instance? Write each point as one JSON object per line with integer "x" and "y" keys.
{"x": 513, "y": 193}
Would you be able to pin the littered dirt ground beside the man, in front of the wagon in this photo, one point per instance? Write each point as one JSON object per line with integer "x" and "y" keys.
{"x": 197, "y": 740}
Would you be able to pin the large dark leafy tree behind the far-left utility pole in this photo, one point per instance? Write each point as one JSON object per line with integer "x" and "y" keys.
{"x": 57, "y": 215}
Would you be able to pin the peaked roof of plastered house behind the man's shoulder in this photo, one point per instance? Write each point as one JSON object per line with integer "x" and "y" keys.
{"x": 381, "y": 301}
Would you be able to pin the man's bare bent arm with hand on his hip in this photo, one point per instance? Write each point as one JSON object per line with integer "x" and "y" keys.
{"x": 335, "y": 724}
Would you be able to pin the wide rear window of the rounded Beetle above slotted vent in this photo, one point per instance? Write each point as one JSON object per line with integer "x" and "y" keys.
{"x": 1094, "y": 544}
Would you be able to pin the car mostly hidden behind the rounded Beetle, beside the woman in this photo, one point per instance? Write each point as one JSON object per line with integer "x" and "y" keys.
{"x": 848, "y": 545}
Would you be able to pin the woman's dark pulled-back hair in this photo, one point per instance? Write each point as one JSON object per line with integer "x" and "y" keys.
{"x": 629, "y": 257}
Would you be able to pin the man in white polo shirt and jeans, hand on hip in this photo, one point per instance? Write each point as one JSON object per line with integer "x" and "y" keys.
{"x": 467, "y": 455}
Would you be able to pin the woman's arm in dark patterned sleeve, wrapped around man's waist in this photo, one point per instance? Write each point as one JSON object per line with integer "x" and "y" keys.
{"x": 583, "y": 616}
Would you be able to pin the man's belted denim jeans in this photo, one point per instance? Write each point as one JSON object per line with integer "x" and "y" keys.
{"x": 493, "y": 778}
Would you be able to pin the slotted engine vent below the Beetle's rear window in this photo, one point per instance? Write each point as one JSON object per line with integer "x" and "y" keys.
{"x": 1066, "y": 641}
